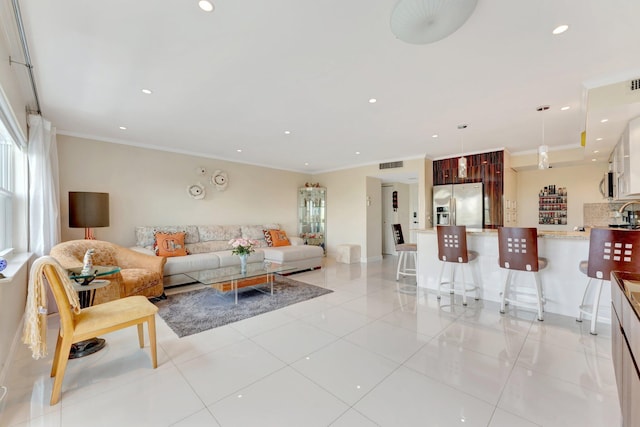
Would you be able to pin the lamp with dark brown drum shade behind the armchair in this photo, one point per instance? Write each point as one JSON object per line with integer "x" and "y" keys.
{"x": 88, "y": 210}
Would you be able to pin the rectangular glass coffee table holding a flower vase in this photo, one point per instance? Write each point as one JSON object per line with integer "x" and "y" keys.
{"x": 240, "y": 280}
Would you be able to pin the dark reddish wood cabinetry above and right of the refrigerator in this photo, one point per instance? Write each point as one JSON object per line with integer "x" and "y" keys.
{"x": 487, "y": 168}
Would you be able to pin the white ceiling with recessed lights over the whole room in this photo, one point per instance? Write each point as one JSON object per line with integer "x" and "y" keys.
{"x": 238, "y": 77}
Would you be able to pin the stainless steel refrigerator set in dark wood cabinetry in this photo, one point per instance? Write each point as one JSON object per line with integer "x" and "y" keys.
{"x": 458, "y": 204}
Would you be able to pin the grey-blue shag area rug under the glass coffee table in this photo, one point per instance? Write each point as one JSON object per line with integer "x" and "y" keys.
{"x": 191, "y": 312}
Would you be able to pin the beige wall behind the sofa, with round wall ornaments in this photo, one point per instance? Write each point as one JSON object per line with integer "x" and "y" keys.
{"x": 148, "y": 187}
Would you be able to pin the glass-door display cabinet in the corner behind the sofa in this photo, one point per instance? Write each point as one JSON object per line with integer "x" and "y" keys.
{"x": 312, "y": 219}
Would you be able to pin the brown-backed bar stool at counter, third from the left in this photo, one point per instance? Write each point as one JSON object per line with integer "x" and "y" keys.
{"x": 518, "y": 251}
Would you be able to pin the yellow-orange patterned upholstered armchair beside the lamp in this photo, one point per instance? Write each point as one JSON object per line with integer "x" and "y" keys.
{"x": 140, "y": 274}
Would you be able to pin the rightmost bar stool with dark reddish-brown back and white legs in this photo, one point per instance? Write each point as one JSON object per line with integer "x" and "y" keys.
{"x": 609, "y": 250}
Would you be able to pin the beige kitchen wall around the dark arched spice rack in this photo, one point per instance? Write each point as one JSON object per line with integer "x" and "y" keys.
{"x": 582, "y": 183}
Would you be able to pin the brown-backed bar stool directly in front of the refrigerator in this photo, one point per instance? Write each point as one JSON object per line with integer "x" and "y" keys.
{"x": 452, "y": 250}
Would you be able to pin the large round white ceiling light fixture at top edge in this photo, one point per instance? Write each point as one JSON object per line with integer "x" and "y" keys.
{"x": 427, "y": 21}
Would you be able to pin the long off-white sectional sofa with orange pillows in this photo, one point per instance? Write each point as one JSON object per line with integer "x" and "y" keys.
{"x": 208, "y": 247}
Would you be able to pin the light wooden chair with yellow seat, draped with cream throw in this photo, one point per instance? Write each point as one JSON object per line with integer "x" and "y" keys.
{"x": 93, "y": 321}
